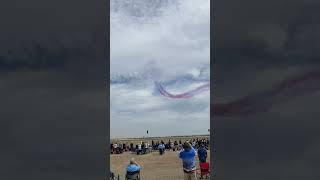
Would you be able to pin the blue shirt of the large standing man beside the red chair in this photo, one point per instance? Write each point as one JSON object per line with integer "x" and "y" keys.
{"x": 188, "y": 159}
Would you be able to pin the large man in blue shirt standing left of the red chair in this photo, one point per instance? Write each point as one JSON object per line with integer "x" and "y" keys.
{"x": 188, "y": 161}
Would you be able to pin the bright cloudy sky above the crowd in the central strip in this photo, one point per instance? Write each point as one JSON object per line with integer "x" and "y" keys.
{"x": 158, "y": 41}
